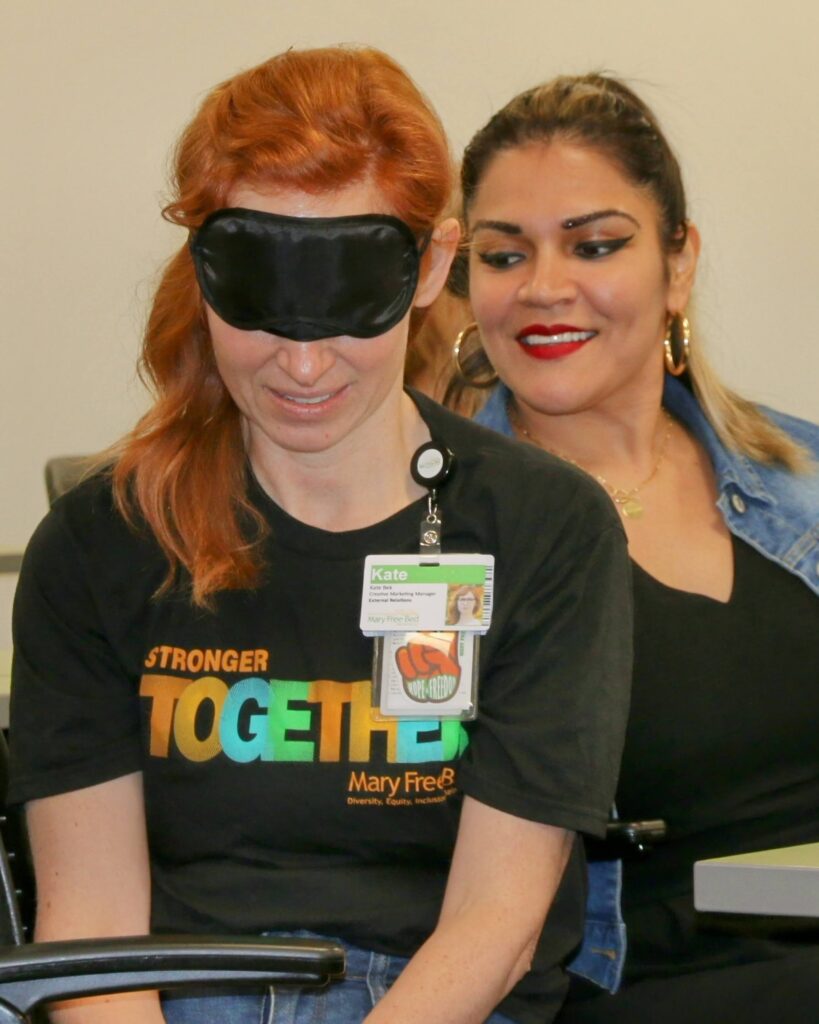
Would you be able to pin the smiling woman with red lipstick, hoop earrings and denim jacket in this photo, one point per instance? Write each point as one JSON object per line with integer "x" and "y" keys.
{"x": 582, "y": 266}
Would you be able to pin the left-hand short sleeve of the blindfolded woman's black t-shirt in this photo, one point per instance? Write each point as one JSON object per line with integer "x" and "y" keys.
{"x": 74, "y": 710}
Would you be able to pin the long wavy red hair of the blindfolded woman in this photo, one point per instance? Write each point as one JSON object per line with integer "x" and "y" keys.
{"x": 313, "y": 120}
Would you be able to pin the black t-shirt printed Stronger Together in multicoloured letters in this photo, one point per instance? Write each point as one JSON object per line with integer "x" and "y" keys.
{"x": 274, "y": 800}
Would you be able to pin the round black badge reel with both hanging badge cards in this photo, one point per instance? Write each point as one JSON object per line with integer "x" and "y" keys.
{"x": 425, "y": 662}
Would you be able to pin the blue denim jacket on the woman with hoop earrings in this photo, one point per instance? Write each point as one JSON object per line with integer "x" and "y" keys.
{"x": 774, "y": 511}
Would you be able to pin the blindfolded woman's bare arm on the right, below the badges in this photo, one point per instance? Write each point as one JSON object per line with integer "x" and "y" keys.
{"x": 504, "y": 876}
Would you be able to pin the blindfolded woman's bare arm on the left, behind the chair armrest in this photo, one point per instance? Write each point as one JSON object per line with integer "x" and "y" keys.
{"x": 92, "y": 863}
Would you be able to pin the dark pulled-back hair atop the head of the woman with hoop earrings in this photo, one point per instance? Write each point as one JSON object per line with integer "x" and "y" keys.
{"x": 595, "y": 111}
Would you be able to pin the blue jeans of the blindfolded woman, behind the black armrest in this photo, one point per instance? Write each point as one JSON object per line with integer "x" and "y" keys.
{"x": 349, "y": 1002}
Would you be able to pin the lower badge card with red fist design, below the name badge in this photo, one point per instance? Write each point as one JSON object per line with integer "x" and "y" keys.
{"x": 426, "y": 674}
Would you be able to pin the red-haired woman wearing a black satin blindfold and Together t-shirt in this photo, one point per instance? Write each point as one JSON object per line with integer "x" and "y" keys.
{"x": 194, "y": 731}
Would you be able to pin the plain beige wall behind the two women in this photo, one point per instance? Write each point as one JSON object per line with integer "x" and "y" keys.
{"x": 94, "y": 93}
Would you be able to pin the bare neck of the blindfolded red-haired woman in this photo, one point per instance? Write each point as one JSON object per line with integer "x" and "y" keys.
{"x": 363, "y": 481}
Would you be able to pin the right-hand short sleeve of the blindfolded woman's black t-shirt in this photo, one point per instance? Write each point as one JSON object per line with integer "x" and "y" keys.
{"x": 553, "y": 703}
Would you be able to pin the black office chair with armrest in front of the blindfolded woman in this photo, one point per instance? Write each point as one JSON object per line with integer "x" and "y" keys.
{"x": 33, "y": 974}
